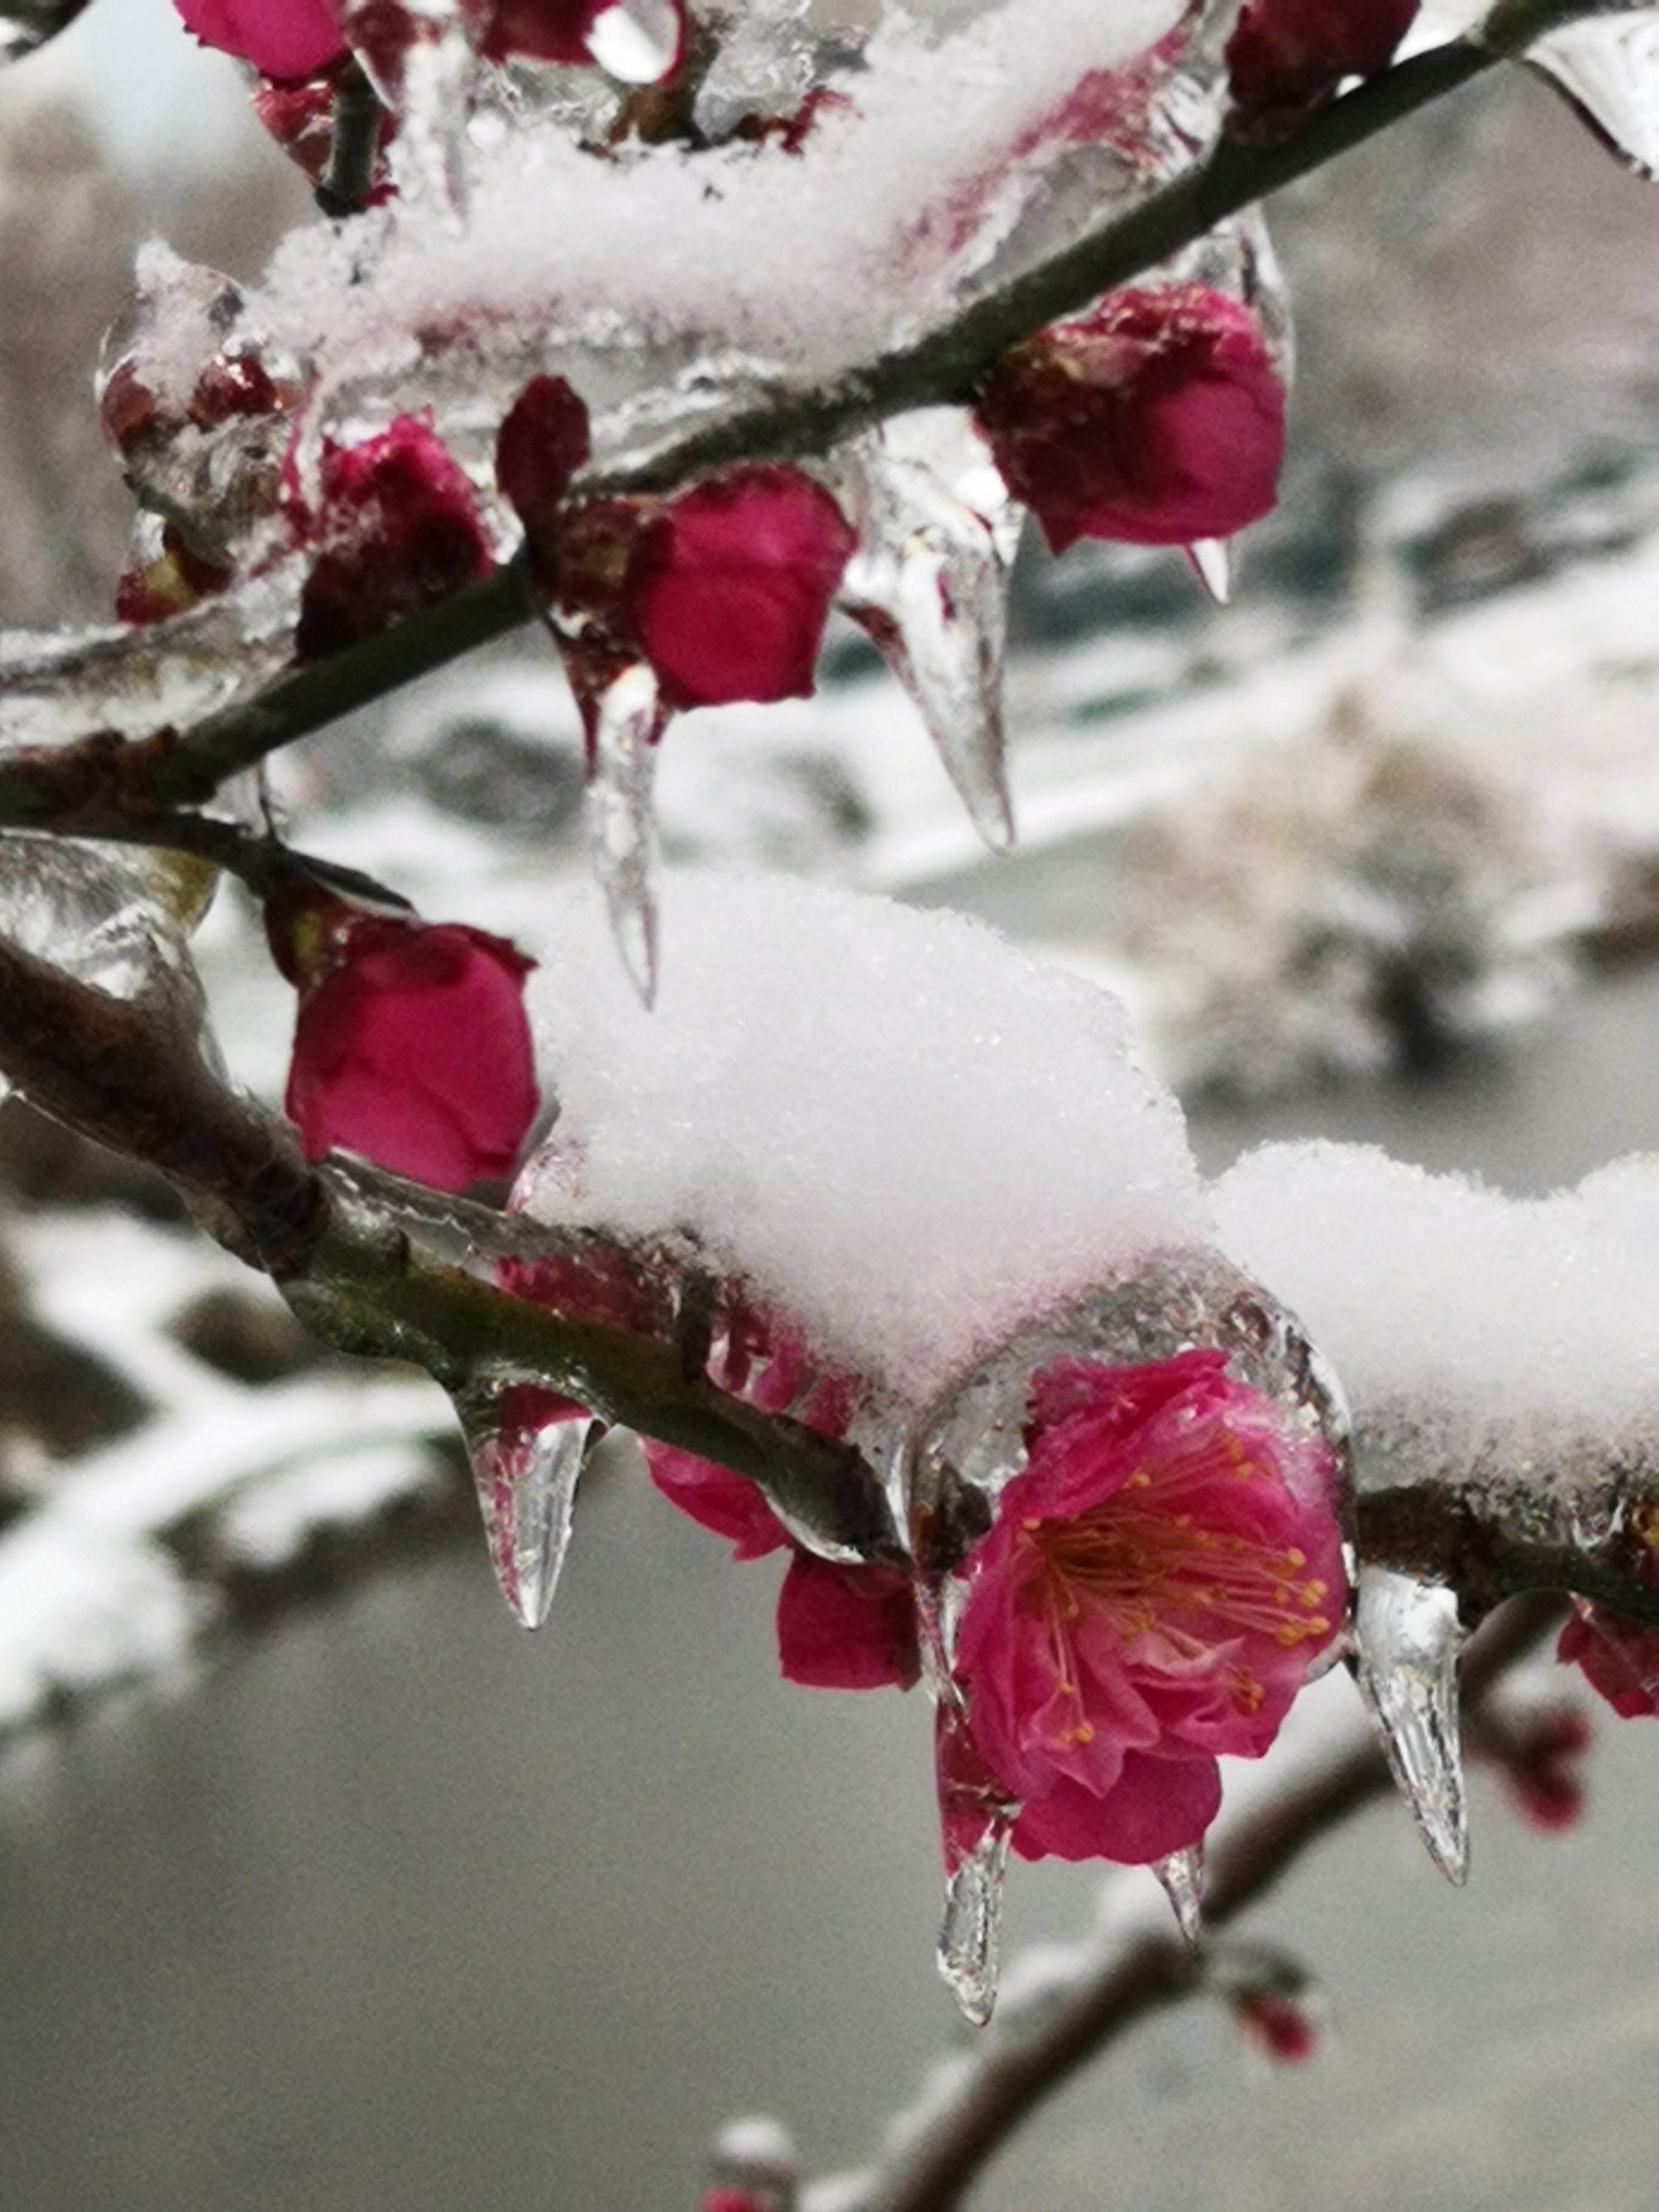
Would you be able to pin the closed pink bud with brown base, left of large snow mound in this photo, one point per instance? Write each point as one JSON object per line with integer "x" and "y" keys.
{"x": 410, "y": 1043}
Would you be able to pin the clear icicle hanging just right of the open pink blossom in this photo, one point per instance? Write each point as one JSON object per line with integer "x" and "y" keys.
{"x": 1408, "y": 1638}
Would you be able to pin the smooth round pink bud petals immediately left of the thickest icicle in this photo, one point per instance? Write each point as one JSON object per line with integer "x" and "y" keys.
{"x": 731, "y": 585}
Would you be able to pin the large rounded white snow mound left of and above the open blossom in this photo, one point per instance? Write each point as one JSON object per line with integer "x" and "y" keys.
{"x": 893, "y": 1123}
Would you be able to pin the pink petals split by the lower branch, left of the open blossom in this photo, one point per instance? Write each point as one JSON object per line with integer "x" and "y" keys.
{"x": 842, "y": 1625}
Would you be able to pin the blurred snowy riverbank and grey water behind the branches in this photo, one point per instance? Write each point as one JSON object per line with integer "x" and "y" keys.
{"x": 322, "y": 1884}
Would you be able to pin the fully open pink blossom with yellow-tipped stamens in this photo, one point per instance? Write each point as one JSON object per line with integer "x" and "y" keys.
{"x": 1151, "y": 1594}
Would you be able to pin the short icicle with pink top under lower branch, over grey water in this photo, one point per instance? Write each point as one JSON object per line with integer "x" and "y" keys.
{"x": 528, "y": 1452}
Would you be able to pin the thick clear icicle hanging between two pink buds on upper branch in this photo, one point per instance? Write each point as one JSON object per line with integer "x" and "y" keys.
{"x": 930, "y": 585}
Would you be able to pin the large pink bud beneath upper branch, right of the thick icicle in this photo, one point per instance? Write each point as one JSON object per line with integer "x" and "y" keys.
{"x": 1156, "y": 419}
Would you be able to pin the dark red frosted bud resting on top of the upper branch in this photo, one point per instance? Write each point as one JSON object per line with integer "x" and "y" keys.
{"x": 397, "y": 530}
